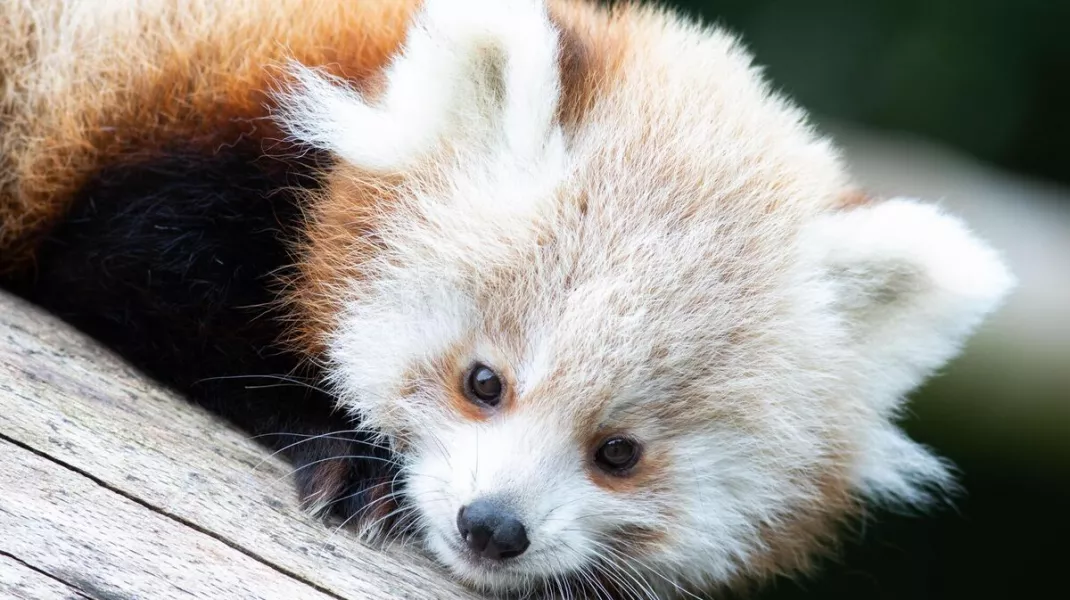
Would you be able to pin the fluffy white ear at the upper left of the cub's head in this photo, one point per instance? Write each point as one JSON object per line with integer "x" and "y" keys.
{"x": 480, "y": 75}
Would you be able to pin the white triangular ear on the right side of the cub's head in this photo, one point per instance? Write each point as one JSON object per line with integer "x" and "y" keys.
{"x": 911, "y": 284}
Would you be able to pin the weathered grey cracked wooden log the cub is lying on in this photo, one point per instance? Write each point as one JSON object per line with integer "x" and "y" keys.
{"x": 101, "y": 445}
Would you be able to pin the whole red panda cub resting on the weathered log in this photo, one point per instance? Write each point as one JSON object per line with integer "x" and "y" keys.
{"x": 567, "y": 291}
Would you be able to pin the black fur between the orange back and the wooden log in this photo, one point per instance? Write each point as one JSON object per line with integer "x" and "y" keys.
{"x": 171, "y": 261}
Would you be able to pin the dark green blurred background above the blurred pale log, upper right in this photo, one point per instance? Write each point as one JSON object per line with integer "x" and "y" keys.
{"x": 989, "y": 78}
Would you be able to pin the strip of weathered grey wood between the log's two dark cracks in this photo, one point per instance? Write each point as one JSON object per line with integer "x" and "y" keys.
{"x": 96, "y": 540}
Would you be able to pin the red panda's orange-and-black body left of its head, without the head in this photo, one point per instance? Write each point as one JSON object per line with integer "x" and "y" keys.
{"x": 147, "y": 197}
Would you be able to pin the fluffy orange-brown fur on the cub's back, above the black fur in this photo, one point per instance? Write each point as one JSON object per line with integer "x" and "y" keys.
{"x": 89, "y": 87}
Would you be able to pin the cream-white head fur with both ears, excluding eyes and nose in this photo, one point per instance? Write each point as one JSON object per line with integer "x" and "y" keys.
{"x": 675, "y": 267}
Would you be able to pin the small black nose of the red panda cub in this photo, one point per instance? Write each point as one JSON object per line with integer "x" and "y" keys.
{"x": 493, "y": 531}
